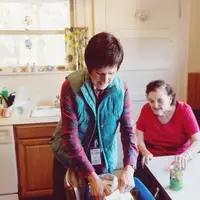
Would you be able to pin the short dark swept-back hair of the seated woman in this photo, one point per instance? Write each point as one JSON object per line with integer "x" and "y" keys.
{"x": 154, "y": 85}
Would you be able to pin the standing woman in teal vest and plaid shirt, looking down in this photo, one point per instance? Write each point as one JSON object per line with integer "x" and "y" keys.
{"x": 94, "y": 101}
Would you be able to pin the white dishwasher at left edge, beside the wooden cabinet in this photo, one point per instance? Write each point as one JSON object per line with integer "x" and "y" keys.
{"x": 8, "y": 168}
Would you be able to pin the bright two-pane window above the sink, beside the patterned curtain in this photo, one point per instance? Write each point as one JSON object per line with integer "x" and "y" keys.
{"x": 32, "y": 32}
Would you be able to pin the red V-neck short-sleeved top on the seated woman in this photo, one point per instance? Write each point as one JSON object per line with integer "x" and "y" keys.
{"x": 171, "y": 138}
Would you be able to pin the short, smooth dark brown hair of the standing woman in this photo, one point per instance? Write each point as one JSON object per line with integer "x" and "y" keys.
{"x": 103, "y": 50}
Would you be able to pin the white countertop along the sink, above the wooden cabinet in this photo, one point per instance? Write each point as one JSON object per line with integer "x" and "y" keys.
{"x": 27, "y": 120}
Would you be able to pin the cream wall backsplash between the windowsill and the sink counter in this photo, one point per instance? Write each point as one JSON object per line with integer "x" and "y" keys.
{"x": 40, "y": 87}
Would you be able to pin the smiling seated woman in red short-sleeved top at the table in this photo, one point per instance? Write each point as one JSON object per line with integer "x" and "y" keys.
{"x": 166, "y": 126}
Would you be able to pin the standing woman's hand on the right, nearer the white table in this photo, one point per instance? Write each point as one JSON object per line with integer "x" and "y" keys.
{"x": 126, "y": 180}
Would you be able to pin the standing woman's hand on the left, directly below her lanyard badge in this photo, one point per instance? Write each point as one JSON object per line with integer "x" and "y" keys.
{"x": 98, "y": 188}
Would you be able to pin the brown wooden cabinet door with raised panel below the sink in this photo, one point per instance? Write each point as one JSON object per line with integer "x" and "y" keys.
{"x": 35, "y": 161}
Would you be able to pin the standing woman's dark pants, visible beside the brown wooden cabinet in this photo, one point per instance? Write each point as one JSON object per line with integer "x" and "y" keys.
{"x": 58, "y": 180}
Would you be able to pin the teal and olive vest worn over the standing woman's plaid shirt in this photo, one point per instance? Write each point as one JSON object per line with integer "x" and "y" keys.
{"x": 105, "y": 119}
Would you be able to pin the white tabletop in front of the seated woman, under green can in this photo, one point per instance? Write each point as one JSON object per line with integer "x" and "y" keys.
{"x": 159, "y": 167}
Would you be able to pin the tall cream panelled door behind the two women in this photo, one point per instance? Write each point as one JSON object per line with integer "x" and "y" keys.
{"x": 152, "y": 36}
